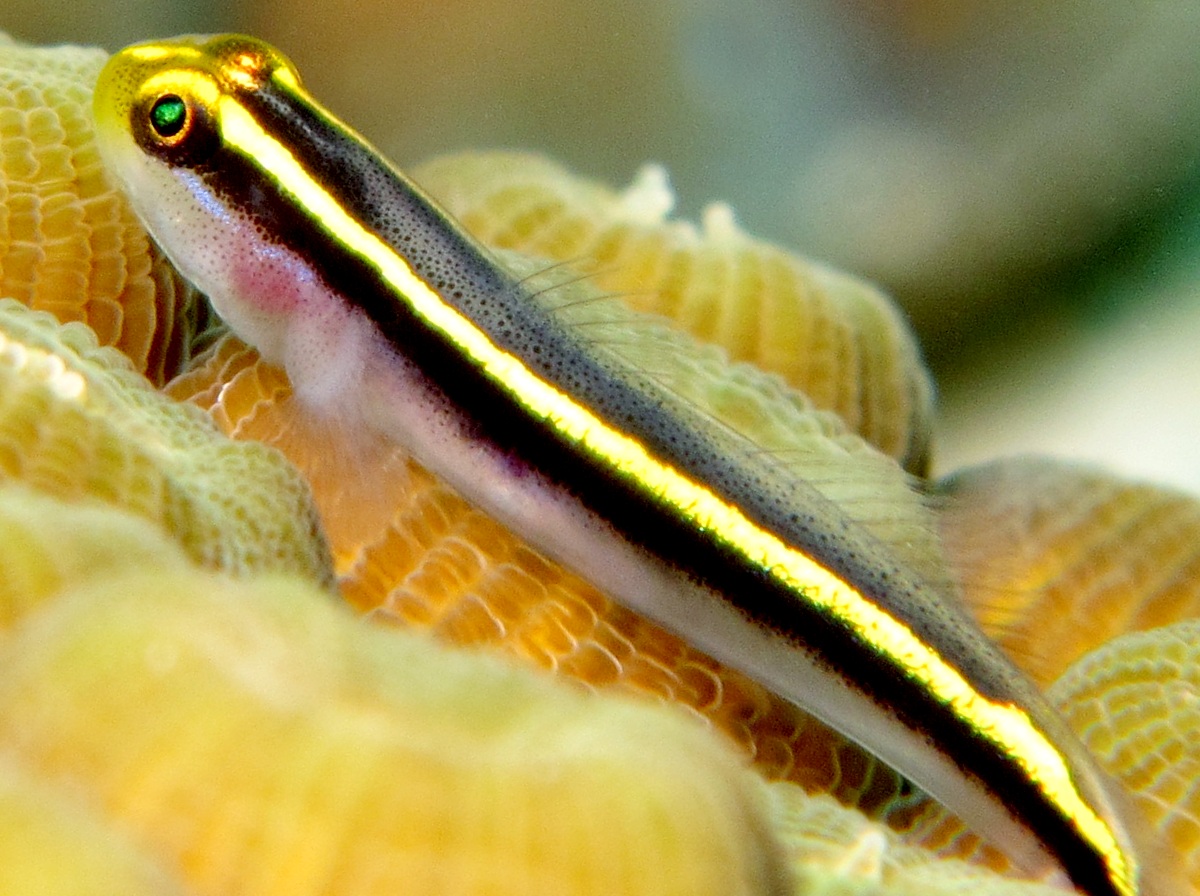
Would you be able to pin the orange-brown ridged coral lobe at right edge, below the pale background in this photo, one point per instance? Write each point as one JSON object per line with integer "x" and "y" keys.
{"x": 1057, "y": 560}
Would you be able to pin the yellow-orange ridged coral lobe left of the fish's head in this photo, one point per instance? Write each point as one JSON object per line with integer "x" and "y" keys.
{"x": 69, "y": 244}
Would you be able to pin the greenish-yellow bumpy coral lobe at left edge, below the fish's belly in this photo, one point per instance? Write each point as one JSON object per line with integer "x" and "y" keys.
{"x": 77, "y": 422}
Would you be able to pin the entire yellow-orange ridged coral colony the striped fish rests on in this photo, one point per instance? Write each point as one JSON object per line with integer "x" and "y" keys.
{"x": 134, "y": 518}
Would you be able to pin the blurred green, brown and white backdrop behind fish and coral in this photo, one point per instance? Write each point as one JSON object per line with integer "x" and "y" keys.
{"x": 1022, "y": 176}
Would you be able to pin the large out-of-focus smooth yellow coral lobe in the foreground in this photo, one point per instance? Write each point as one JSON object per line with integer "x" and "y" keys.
{"x": 262, "y": 741}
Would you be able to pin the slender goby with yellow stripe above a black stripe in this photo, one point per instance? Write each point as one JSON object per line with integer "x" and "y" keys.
{"x": 320, "y": 254}
